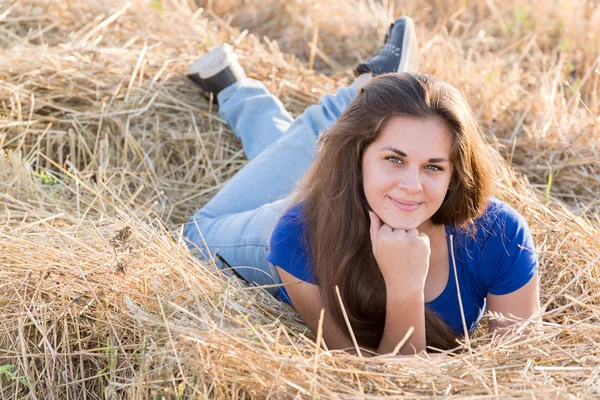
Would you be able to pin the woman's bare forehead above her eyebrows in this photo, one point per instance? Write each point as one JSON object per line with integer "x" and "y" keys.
{"x": 429, "y": 137}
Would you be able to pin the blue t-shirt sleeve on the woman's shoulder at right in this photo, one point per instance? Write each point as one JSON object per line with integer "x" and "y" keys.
{"x": 511, "y": 254}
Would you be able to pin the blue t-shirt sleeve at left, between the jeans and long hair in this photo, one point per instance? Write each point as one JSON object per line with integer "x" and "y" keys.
{"x": 287, "y": 250}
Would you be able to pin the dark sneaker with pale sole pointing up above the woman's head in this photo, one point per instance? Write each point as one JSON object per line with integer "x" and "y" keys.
{"x": 400, "y": 52}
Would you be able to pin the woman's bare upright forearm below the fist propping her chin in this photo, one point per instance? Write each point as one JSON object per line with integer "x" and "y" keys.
{"x": 403, "y": 311}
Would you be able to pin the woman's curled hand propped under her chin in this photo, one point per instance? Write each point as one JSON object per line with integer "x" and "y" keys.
{"x": 402, "y": 255}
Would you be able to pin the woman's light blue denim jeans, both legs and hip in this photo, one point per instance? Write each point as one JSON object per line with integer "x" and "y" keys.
{"x": 238, "y": 221}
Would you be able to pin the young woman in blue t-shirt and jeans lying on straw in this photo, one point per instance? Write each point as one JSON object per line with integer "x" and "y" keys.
{"x": 380, "y": 192}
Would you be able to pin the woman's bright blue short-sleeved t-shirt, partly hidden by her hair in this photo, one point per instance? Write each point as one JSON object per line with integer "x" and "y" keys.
{"x": 498, "y": 259}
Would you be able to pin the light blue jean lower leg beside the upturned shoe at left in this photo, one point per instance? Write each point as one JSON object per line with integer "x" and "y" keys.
{"x": 256, "y": 116}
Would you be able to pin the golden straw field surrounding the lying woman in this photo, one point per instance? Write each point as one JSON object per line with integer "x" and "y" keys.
{"x": 106, "y": 148}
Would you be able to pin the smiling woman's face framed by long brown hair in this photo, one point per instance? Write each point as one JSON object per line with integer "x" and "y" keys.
{"x": 406, "y": 172}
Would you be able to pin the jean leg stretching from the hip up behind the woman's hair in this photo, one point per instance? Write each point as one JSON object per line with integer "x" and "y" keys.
{"x": 238, "y": 221}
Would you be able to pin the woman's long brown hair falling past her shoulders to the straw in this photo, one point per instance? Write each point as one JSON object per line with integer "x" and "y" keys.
{"x": 336, "y": 211}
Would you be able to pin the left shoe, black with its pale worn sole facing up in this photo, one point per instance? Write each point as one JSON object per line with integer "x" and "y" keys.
{"x": 216, "y": 70}
